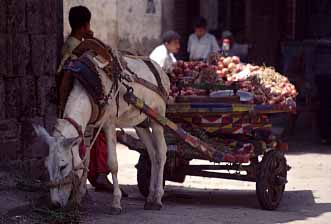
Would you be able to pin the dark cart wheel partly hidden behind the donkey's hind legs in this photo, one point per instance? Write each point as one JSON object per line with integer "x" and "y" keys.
{"x": 144, "y": 174}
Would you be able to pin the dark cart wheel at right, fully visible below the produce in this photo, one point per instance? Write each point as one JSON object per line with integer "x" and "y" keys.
{"x": 271, "y": 180}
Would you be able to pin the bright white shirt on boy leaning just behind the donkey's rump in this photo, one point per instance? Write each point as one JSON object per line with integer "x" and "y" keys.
{"x": 163, "y": 57}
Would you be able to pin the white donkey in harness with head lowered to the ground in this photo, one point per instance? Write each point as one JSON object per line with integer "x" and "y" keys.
{"x": 64, "y": 159}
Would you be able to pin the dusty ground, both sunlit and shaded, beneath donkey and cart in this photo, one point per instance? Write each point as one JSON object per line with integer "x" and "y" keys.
{"x": 202, "y": 200}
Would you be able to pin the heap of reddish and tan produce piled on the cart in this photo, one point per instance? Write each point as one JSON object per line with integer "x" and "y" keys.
{"x": 267, "y": 85}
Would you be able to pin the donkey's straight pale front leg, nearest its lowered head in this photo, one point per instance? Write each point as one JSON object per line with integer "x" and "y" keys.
{"x": 110, "y": 131}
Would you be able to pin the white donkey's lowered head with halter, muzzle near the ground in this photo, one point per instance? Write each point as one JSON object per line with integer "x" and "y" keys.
{"x": 60, "y": 164}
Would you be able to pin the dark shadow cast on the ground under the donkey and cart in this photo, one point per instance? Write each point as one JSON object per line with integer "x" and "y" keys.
{"x": 206, "y": 205}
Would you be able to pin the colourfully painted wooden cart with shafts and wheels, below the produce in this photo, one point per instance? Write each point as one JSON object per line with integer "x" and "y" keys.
{"x": 235, "y": 136}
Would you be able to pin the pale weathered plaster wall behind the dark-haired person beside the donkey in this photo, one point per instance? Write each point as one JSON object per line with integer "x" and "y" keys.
{"x": 124, "y": 24}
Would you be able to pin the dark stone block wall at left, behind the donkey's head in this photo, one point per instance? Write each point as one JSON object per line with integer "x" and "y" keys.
{"x": 30, "y": 38}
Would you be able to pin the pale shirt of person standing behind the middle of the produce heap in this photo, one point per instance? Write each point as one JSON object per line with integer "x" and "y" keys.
{"x": 201, "y": 48}
